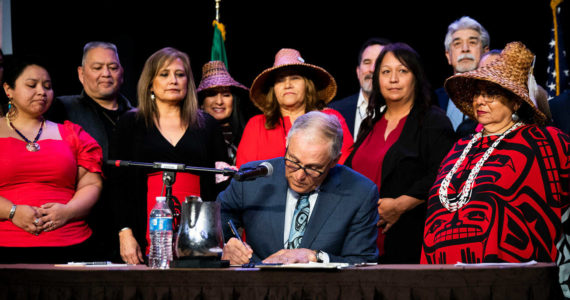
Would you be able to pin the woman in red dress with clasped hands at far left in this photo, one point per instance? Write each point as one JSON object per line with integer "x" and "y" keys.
{"x": 50, "y": 175}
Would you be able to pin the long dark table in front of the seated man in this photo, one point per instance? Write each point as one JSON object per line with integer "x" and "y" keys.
{"x": 538, "y": 281}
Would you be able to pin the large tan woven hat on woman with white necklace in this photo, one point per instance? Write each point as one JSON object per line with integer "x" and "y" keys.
{"x": 511, "y": 71}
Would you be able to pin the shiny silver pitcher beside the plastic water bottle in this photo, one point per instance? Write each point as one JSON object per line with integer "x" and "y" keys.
{"x": 200, "y": 232}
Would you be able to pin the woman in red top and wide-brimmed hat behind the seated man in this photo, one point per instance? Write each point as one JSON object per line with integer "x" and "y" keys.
{"x": 284, "y": 92}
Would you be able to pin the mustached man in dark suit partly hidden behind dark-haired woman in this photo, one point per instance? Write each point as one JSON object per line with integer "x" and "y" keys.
{"x": 353, "y": 108}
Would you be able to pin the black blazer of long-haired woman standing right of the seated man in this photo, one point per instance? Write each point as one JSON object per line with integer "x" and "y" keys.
{"x": 409, "y": 168}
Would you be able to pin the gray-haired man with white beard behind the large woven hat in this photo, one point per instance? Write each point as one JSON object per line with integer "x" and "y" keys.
{"x": 465, "y": 42}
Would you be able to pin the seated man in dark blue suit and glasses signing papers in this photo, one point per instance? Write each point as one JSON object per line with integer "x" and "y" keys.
{"x": 309, "y": 210}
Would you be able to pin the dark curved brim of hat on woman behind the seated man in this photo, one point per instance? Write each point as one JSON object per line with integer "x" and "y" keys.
{"x": 325, "y": 83}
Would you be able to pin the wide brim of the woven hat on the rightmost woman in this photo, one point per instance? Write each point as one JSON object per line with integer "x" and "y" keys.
{"x": 461, "y": 90}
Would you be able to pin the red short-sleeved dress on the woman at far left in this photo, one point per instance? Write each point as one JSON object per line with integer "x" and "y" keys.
{"x": 46, "y": 176}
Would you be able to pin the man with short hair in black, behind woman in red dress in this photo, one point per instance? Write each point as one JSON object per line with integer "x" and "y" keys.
{"x": 97, "y": 110}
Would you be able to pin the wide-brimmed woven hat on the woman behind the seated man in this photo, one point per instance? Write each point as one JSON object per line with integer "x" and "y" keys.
{"x": 291, "y": 58}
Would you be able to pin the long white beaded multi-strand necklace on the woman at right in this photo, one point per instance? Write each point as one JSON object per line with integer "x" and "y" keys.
{"x": 465, "y": 194}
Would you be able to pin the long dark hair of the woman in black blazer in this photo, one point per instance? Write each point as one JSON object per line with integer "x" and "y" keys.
{"x": 422, "y": 89}
